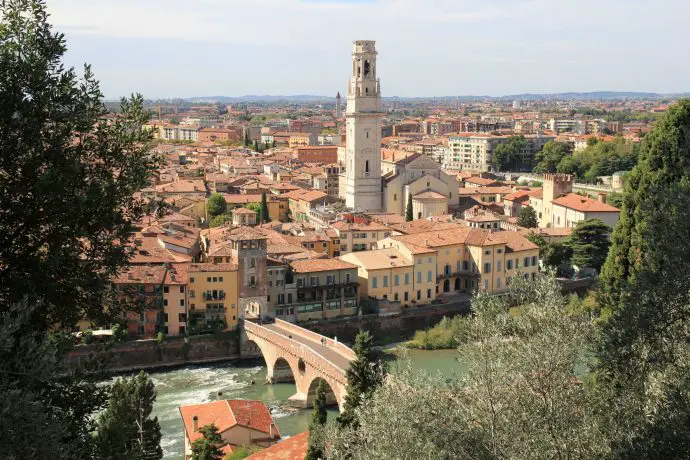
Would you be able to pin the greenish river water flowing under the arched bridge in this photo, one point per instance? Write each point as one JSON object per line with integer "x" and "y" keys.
{"x": 198, "y": 384}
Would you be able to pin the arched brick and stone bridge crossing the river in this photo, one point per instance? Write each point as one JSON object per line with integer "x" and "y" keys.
{"x": 295, "y": 354}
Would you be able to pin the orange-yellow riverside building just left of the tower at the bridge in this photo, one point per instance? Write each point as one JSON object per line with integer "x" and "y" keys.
{"x": 213, "y": 297}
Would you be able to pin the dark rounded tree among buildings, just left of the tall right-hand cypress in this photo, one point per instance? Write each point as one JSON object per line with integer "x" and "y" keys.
{"x": 589, "y": 242}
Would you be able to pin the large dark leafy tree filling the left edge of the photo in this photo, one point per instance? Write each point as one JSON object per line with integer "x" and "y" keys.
{"x": 67, "y": 207}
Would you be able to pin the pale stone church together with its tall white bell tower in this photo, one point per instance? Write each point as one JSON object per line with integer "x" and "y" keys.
{"x": 373, "y": 180}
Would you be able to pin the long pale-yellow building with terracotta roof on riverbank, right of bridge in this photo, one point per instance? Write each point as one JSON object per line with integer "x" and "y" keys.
{"x": 414, "y": 269}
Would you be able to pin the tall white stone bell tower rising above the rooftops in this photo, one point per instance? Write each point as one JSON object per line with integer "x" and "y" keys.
{"x": 363, "y": 131}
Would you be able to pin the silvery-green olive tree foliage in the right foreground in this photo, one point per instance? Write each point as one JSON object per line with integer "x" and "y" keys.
{"x": 519, "y": 395}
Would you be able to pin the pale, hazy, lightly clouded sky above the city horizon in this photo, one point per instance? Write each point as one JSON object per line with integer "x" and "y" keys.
{"x": 194, "y": 48}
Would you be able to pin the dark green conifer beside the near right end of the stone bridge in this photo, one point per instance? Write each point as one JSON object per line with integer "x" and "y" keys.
{"x": 363, "y": 377}
